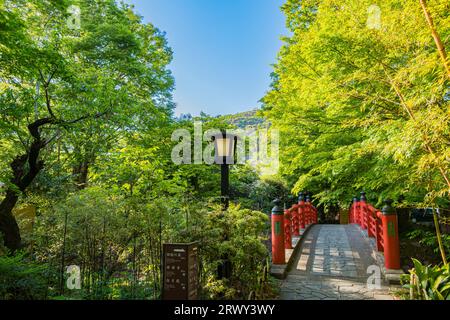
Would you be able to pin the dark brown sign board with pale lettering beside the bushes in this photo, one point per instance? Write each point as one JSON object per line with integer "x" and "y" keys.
{"x": 180, "y": 273}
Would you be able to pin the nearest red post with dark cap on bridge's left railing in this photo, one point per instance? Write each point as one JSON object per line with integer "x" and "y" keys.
{"x": 278, "y": 252}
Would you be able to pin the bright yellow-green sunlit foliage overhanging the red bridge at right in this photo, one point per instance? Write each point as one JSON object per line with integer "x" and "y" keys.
{"x": 360, "y": 108}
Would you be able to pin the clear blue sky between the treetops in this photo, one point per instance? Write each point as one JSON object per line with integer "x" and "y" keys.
{"x": 223, "y": 50}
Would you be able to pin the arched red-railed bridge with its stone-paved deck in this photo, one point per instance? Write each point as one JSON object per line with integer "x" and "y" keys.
{"x": 321, "y": 261}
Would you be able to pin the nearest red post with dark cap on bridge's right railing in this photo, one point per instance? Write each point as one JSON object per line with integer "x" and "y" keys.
{"x": 390, "y": 236}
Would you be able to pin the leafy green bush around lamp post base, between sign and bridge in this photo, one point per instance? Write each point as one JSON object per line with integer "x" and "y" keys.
{"x": 244, "y": 246}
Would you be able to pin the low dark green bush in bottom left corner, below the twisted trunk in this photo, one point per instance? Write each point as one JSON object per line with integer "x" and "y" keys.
{"x": 21, "y": 279}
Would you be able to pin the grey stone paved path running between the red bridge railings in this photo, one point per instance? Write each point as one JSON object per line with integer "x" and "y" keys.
{"x": 332, "y": 265}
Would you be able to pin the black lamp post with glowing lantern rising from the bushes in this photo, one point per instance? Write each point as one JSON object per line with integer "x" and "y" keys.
{"x": 225, "y": 146}
